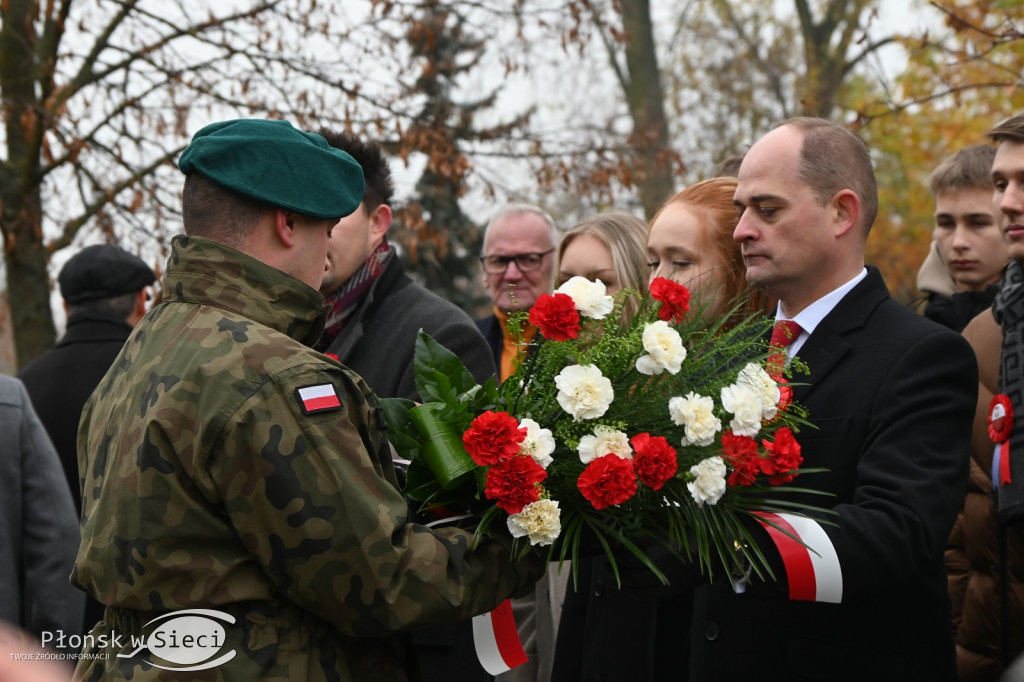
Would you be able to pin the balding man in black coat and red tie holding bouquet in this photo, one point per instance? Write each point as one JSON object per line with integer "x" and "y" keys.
{"x": 892, "y": 396}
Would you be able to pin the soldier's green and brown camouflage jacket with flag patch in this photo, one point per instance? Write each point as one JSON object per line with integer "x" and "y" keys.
{"x": 212, "y": 480}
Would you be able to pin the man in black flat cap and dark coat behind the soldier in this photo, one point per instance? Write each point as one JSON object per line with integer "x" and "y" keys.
{"x": 105, "y": 291}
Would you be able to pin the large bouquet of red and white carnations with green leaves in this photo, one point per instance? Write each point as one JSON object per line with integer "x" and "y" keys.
{"x": 662, "y": 430}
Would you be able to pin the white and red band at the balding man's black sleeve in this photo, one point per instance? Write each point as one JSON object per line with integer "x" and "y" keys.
{"x": 812, "y": 564}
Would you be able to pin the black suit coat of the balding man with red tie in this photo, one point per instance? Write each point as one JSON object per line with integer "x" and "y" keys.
{"x": 893, "y": 397}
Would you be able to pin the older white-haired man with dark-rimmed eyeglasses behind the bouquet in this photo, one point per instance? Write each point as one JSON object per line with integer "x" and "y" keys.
{"x": 519, "y": 266}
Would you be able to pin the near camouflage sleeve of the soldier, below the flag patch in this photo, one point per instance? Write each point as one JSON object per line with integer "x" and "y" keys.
{"x": 313, "y": 506}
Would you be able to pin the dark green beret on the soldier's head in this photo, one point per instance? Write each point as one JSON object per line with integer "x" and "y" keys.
{"x": 275, "y": 163}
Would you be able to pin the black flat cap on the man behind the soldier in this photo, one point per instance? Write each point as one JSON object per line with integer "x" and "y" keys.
{"x": 103, "y": 271}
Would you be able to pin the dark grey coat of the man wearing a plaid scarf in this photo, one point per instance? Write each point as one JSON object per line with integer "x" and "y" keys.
{"x": 379, "y": 344}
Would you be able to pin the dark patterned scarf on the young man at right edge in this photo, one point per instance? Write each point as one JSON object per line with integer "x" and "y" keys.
{"x": 1009, "y": 313}
